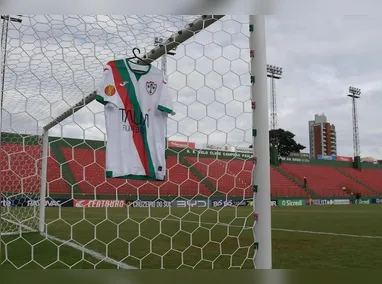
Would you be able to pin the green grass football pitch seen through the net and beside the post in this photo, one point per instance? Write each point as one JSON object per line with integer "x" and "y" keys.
{"x": 302, "y": 237}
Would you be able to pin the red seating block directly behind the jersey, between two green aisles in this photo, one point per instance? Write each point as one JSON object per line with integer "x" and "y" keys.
{"x": 87, "y": 167}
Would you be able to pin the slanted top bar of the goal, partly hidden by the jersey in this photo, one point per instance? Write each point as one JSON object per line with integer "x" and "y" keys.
{"x": 172, "y": 42}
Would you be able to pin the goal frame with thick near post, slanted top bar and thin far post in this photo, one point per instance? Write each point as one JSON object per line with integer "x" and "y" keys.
{"x": 260, "y": 140}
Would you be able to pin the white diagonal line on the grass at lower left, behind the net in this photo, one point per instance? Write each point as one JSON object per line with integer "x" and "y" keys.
{"x": 90, "y": 252}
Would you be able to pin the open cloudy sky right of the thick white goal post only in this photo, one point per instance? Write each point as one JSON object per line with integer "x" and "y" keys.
{"x": 321, "y": 58}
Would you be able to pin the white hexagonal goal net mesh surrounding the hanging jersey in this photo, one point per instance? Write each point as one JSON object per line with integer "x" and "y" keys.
{"x": 201, "y": 216}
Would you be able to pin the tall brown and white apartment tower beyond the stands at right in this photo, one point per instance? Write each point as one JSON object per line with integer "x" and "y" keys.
{"x": 322, "y": 137}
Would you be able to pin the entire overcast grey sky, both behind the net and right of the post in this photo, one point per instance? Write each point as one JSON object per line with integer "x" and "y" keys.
{"x": 321, "y": 57}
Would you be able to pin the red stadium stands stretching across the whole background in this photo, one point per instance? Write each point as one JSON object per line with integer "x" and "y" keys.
{"x": 82, "y": 169}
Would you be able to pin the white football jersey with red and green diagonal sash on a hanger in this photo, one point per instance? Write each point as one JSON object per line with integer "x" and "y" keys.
{"x": 137, "y": 103}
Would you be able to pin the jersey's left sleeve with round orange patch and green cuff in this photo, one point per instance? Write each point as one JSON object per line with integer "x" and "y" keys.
{"x": 106, "y": 90}
